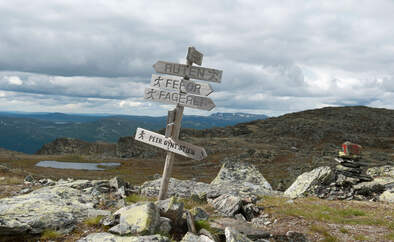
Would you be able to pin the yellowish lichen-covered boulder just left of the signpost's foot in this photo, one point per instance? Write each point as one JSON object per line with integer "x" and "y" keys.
{"x": 138, "y": 219}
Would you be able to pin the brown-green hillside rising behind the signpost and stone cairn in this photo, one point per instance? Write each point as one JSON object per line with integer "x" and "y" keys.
{"x": 281, "y": 147}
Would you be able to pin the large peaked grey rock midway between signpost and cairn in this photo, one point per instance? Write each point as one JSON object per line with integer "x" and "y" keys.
{"x": 240, "y": 172}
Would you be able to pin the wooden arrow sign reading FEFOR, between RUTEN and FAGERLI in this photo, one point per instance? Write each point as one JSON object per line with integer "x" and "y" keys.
{"x": 176, "y": 82}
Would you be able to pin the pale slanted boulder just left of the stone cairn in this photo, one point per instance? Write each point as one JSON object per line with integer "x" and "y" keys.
{"x": 305, "y": 183}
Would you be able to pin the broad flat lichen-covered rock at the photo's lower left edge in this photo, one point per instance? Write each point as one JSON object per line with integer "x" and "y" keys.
{"x": 57, "y": 208}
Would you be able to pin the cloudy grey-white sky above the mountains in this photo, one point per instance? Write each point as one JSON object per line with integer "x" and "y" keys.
{"x": 277, "y": 57}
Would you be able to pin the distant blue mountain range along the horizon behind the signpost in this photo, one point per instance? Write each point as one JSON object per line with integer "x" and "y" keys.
{"x": 27, "y": 132}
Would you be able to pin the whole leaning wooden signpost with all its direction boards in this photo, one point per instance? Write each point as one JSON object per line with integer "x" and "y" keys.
{"x": 180, "y": 90}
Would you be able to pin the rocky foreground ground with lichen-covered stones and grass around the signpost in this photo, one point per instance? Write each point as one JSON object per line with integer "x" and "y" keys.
{"x": 235, "y": 206}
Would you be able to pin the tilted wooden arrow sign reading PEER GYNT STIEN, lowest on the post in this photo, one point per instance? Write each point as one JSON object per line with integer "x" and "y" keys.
{"x": 175, "y": 146}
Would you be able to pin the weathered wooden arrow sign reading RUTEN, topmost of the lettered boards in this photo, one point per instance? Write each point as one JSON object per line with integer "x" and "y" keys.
{"x": 194, "y": 72}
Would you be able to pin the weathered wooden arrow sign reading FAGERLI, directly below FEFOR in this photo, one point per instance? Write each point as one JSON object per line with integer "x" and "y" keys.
{"x": 184, "y": 99}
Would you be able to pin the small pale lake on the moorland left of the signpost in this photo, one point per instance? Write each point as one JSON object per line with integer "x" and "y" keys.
{"x": 76, "y": 165}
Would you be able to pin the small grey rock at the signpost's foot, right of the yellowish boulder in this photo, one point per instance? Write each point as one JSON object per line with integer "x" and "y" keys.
{"x": 171, "y": 209}
